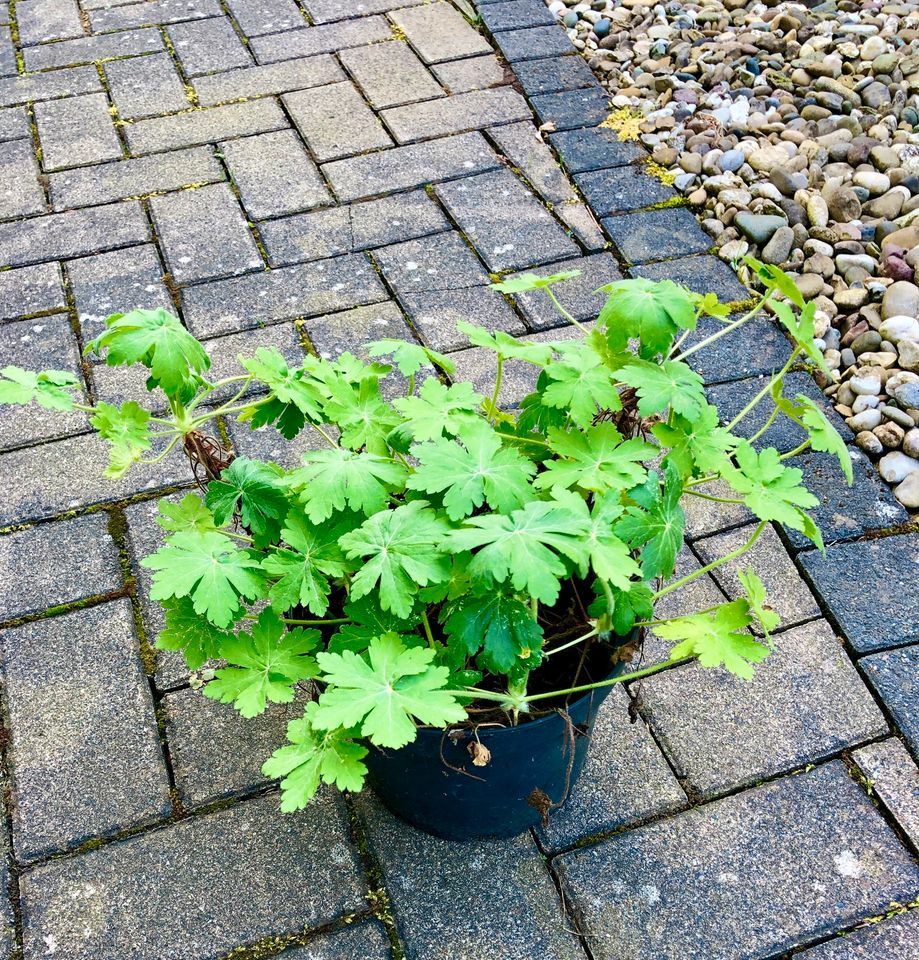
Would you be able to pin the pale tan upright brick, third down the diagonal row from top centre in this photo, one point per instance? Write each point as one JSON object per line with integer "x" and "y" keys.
{"x": 335, "y": 121}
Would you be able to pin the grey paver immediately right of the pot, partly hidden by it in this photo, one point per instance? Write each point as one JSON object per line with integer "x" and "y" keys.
{"x": 625, "y": 780}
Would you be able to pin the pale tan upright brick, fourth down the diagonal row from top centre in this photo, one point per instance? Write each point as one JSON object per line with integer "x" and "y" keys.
{"x": 274, "y": 175}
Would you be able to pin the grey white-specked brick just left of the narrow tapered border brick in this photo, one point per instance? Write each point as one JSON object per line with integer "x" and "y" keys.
{"x": 513, "y": 229}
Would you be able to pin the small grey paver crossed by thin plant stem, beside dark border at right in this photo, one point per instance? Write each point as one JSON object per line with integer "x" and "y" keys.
{"x": 787, "y": 593}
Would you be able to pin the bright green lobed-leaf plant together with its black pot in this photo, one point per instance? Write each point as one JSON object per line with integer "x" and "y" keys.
{"x": 457, "y": 584}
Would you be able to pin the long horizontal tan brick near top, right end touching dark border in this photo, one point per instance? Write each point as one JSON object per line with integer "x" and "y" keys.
{"x": 456, "y": 114}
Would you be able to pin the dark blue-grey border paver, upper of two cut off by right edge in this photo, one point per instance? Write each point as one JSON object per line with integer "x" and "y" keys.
{"x": 887, "y": 572}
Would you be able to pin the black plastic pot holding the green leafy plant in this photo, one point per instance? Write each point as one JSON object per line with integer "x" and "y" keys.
{"x": 433, "y": 784}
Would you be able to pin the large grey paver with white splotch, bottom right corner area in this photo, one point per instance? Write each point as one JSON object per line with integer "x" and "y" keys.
{"x": 810, "y": 854}
